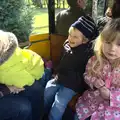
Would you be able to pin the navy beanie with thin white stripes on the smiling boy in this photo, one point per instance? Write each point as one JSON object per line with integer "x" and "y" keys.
{"x": 87, "y": 26}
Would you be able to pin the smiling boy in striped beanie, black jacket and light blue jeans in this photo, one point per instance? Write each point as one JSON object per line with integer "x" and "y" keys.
{"x": 69, "y": 79}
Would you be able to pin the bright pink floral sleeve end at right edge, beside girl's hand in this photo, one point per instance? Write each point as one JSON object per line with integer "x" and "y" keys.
{"x": 115, "y": 99}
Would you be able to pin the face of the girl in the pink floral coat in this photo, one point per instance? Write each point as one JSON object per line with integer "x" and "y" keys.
{"x": 111, "y": 50}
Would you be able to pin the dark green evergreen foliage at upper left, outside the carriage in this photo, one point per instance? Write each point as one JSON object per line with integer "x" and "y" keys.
{"x": 16, "y": 16}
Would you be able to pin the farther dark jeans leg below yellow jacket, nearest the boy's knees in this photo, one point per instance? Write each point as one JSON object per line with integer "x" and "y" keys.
{"x": 35, "y": 94}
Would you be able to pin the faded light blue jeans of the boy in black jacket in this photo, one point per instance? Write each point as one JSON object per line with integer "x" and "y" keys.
{"x": 56, "y": 97}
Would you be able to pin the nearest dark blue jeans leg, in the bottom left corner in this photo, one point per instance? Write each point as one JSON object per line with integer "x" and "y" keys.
{"x": 15, "y": 108}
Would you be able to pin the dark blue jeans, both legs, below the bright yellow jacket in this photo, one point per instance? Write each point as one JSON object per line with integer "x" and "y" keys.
{"x": 26, "y": 105}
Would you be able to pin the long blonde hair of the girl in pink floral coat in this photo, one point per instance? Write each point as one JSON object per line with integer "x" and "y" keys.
{"x": 110, "y": 33}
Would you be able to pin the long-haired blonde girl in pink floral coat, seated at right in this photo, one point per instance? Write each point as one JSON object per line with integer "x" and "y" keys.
{"x": 102, "y": 101}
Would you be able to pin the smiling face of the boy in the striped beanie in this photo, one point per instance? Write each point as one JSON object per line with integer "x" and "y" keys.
{"x": 75, "y": 38}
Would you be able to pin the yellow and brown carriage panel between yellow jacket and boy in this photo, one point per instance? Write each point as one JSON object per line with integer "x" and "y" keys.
{"x": 48, "y": 46}
